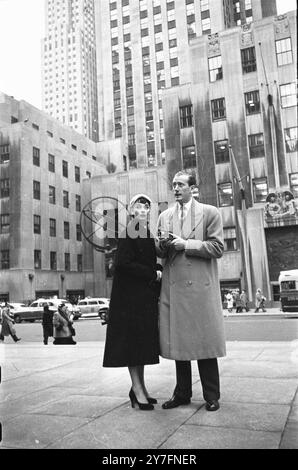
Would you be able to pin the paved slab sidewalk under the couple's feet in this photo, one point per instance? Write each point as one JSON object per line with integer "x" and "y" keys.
{"x": 61, "y": 398}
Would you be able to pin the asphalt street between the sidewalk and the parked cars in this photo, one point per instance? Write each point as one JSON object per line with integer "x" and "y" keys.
{"x": 242, "y": 328}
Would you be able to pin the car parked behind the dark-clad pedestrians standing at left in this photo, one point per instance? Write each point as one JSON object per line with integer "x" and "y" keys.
{"x": 35, "y": 310}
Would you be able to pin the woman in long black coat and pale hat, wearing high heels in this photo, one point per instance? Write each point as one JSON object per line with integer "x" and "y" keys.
{"x": 132, "y": 332}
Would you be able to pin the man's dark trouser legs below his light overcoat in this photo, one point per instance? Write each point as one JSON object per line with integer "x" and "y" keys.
{"x": 209, "y": 375}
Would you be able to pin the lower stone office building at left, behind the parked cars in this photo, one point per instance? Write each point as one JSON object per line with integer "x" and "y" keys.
{"x": 43, "y": 165}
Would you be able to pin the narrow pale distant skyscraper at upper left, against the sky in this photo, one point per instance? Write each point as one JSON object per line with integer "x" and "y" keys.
{"x": 69, "y": 65}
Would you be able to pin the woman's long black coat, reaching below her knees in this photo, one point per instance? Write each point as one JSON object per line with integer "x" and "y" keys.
{"x": 132, "y": 331}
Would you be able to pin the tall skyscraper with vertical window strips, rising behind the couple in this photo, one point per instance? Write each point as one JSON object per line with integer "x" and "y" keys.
{"x": 142, "y": 48}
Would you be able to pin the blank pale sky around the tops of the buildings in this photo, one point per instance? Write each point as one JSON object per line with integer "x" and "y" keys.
{"x": 22, "y": 26}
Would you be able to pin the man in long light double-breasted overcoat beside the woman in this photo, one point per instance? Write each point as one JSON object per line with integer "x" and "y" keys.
{"x": 191, "y": 319}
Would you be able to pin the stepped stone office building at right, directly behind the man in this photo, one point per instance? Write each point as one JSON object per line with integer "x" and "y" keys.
{"x": 241, "y": 106}
